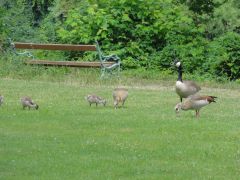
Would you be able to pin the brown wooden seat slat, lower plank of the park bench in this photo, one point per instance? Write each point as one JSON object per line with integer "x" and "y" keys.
{"x": 68, "y": 63}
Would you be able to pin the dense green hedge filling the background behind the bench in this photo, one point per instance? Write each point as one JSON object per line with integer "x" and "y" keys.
{"x": 145, "y": 34}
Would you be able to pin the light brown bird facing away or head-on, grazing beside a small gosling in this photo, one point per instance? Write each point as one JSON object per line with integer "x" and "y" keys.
{"x": 119, "y": 95}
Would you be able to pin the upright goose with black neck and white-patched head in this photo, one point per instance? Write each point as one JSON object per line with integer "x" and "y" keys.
{"x": 184, "y": 88}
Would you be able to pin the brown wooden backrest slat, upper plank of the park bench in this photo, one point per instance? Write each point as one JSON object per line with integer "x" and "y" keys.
{"x": 68, "y": 47}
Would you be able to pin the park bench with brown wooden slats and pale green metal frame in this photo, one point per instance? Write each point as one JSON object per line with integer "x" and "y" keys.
{"x": 108, "y": 64}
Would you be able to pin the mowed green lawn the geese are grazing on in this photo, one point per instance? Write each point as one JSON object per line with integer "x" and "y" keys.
{"x": 67, "y": 139}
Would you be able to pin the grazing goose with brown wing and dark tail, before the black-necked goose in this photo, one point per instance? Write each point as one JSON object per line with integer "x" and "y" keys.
{"x": 194, "y": 102}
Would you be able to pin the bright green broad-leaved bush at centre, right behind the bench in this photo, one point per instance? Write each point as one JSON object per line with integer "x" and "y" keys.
{"x": 136, "y": 30}
